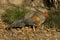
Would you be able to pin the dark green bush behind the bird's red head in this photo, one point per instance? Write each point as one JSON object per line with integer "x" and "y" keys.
{"x": 53, "y": 20}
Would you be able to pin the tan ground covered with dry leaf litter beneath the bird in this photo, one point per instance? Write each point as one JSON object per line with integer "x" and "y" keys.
{"x": 27, "y": 33}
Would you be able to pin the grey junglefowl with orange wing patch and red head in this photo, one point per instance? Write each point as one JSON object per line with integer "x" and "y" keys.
{"x": 30, "y": 19}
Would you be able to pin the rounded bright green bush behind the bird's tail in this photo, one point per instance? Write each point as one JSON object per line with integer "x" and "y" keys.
{"x": 13, "y": 14}
